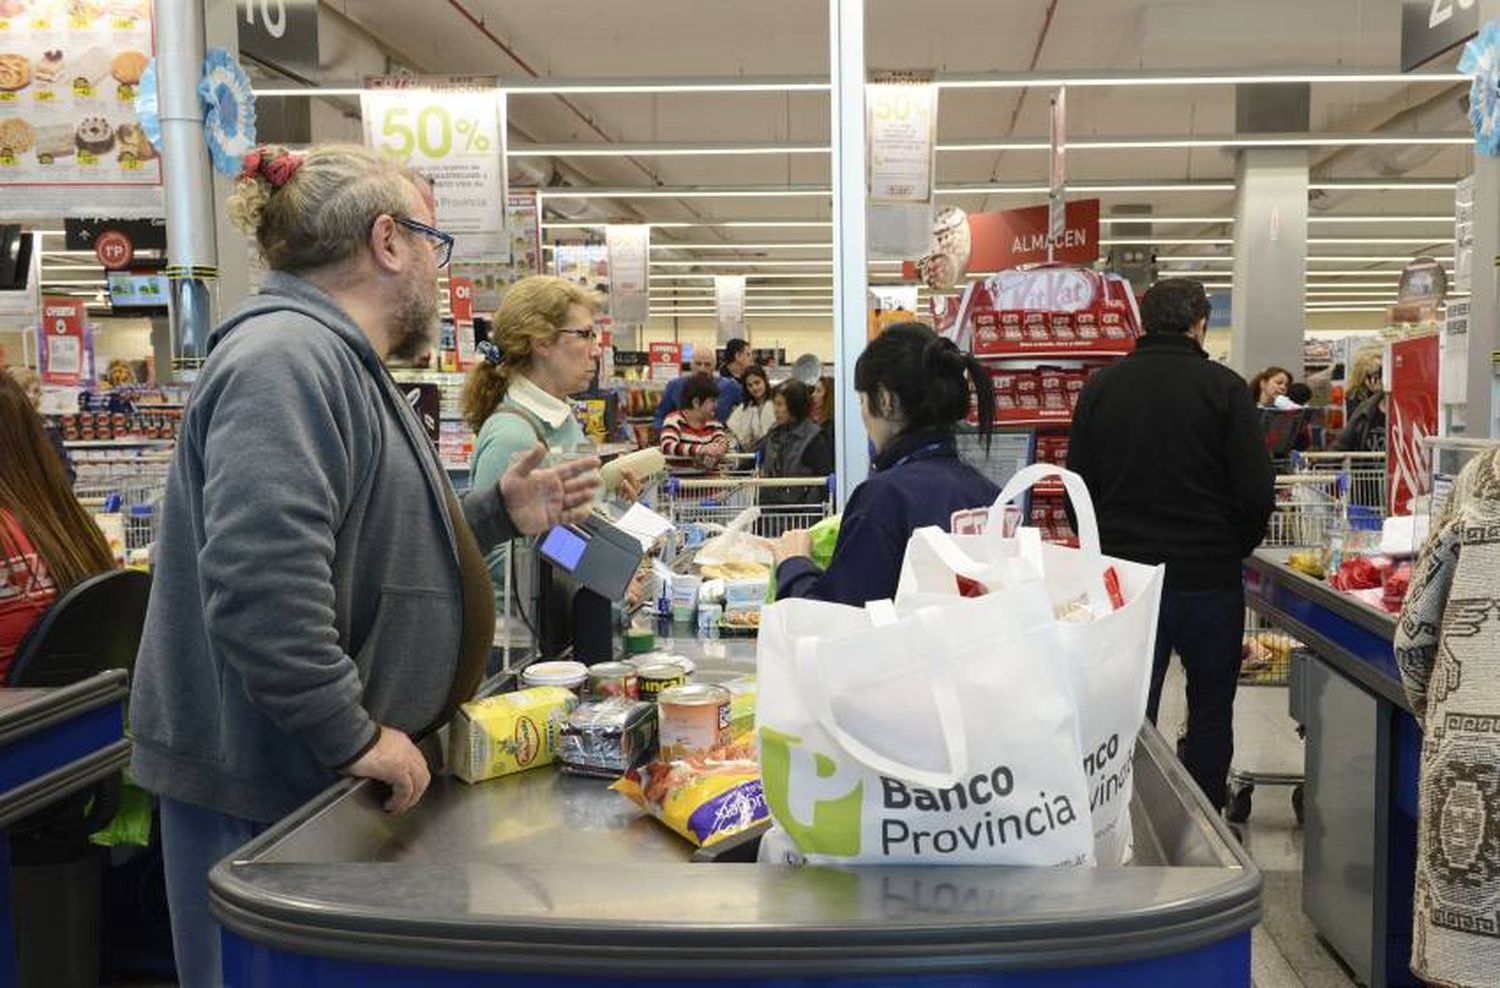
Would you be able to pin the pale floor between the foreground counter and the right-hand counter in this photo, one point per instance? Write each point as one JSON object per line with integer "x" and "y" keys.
{"x": 1285, "y": 951}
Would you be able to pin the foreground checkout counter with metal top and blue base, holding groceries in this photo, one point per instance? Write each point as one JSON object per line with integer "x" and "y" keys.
{"x": 545, "y": 878}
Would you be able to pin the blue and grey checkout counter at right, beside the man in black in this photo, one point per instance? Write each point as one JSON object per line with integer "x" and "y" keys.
{"x": 1363, "y": 761}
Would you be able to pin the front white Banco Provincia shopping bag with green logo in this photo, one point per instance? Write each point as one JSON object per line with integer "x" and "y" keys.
{"x": 904, "y": 738}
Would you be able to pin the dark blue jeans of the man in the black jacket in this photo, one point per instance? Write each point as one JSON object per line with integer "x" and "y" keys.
{"x": 1207, "y": 630}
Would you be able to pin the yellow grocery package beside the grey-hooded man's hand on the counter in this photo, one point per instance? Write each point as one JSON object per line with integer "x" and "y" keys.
{"x": 508, "y": 734}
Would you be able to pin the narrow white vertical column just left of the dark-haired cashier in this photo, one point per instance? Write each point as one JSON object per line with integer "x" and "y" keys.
{"x": 851, "y": 251}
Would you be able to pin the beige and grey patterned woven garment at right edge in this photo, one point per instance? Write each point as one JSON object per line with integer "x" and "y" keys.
{"x": 1448, "y": 650}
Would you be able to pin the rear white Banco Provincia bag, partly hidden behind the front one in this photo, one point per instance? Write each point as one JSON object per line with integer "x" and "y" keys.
{"x": 1108, "y": 657}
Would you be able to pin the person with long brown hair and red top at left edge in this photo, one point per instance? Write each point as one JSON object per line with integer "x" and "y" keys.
{"x": 47, "y": 540}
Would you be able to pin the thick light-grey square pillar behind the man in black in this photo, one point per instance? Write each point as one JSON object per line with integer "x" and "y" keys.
{"x": 1271, "y": 248}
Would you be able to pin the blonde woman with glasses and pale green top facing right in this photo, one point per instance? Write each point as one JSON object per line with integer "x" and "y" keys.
{"x": 544, "y": 349}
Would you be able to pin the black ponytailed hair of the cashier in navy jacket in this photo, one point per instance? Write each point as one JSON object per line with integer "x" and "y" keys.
{"x": 925, "y": 382}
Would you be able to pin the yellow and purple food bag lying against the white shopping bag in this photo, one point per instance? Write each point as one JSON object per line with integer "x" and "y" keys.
{"x": 703, "y": 801}
